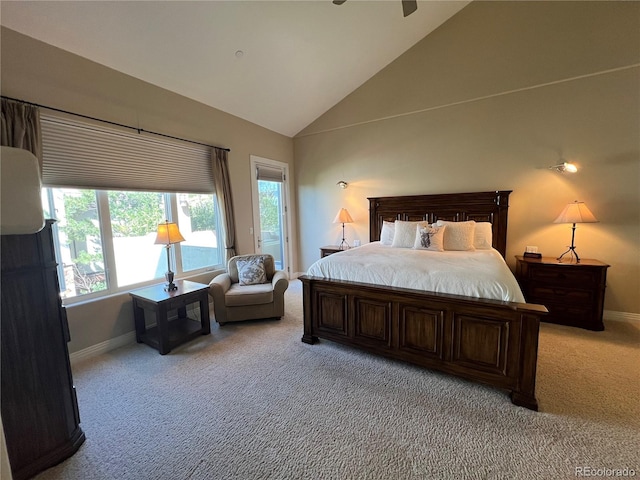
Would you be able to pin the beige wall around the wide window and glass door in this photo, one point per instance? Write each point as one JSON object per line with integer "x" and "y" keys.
{"x": 40, "y": 73}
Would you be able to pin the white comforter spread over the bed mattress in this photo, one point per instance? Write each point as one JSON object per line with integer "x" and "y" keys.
{"x": 481, "y": 273}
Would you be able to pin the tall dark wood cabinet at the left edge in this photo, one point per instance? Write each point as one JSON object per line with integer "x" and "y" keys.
{"x": 39, "y": 406}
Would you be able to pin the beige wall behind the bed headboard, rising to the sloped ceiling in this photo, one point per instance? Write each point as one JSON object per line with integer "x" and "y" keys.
{"x": 487, "y": 102}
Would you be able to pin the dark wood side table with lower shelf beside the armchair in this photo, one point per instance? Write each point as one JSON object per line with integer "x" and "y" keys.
{"x": 168, "y": 334}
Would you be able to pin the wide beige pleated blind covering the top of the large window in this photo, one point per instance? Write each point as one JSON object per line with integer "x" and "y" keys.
{"x": 82, "y": 154}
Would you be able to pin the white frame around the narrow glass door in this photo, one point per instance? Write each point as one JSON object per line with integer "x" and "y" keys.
{"x": 287, "y": 248}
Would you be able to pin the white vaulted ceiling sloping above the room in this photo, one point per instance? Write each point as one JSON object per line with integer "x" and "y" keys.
{"x": 279, "y": 64}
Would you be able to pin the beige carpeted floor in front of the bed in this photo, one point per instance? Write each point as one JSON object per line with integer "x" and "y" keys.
{"x": 251, "y": 401}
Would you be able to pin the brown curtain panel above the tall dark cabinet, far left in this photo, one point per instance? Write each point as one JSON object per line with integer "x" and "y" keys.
{"x": 21, "y": 127}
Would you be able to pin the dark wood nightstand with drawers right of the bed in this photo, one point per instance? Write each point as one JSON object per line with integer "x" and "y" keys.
{"x": 572, "y": 292}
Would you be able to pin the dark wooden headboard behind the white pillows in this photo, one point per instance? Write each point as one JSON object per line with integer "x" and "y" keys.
{"x": 457, "y": 207}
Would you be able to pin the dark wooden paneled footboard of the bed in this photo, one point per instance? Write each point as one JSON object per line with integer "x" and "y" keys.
{"x": 487, "y": 341}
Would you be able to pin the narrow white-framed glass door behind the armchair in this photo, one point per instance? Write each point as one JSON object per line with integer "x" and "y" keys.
{"x": 270, "y": 195}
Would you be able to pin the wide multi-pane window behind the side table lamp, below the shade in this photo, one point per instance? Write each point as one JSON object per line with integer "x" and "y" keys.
{"x": 104, "y": 240}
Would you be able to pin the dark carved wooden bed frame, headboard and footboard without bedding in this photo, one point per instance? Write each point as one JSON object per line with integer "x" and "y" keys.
{"x": 487, "y": 340}
